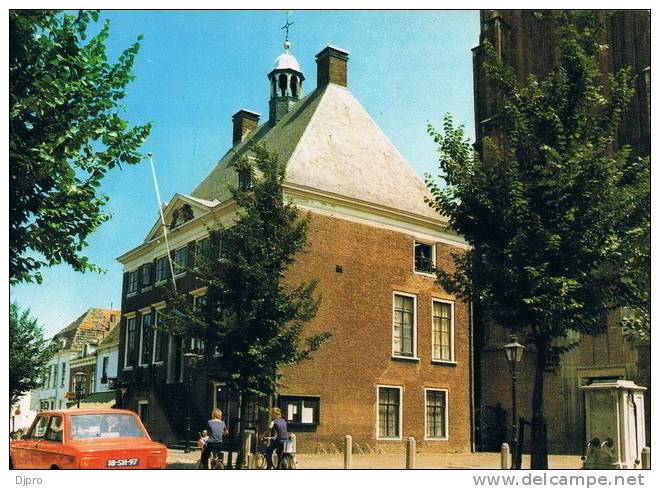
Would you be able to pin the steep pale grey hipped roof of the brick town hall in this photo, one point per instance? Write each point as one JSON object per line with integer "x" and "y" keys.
{"x": 330, "y": 143}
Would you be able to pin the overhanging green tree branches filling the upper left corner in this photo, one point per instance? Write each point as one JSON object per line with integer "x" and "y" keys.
{"x": 65, "y": 133}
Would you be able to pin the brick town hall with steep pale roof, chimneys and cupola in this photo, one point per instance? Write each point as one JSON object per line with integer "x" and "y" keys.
{"x": 398, "y": 363}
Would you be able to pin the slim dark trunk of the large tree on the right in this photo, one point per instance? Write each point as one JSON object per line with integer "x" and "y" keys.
{"x": 539, "y": 434}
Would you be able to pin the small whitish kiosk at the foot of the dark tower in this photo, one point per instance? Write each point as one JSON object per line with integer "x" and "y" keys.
{"x": 614, "y": 421}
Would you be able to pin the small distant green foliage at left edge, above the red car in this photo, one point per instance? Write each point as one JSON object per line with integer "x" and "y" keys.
{"x": 28, "y": 353}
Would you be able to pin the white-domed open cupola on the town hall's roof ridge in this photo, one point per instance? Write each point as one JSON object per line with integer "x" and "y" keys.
{"x": 285, "y": 84}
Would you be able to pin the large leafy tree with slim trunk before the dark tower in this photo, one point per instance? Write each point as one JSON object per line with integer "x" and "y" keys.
{"x": 548, "y": 207}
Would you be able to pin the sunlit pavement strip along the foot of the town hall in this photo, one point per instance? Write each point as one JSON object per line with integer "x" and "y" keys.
{"x": 179, "y": 460}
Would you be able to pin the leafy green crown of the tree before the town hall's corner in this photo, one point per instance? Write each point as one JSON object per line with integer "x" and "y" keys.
{"x": 253, "y": 322}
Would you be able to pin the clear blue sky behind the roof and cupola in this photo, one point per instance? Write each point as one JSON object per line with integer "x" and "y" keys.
{"x": 197, "y": 68}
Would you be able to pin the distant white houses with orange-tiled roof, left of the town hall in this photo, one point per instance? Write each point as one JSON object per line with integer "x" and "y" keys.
{"x": 76, "y": 340}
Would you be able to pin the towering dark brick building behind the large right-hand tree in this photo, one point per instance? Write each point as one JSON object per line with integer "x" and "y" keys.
{"x": 526, "y": 43}
